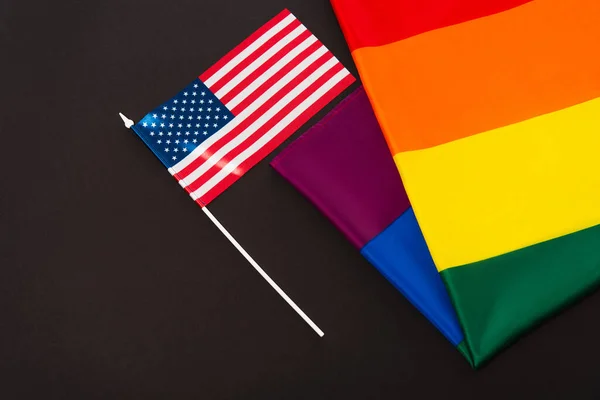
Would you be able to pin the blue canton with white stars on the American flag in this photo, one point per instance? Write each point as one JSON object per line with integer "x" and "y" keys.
{"x": 174, "y": 129}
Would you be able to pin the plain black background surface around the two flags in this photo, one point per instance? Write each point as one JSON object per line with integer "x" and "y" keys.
{"x": 113, "y": 283}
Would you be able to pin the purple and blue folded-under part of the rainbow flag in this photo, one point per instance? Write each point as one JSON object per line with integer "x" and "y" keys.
{"x": 343, "y": 166}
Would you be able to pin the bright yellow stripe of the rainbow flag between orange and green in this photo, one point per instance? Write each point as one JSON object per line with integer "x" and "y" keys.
{"x": 500, "y": 197}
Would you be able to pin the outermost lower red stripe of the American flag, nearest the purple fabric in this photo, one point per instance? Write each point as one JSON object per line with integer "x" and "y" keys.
{"x": 276, "y": 141}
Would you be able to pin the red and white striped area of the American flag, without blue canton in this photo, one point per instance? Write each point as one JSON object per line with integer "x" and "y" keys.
{"x": 263, "y": 80}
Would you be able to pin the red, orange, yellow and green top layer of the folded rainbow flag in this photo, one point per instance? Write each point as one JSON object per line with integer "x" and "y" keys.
{"x": 491, "y": 110}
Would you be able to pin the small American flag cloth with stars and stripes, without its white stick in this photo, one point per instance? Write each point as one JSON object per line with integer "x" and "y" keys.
{"x": 243, "y": 107}
